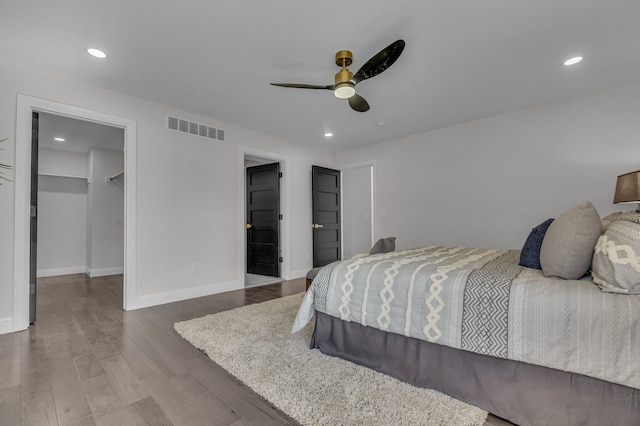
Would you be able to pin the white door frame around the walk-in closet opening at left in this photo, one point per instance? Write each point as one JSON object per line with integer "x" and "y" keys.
{"x": 22, "y": 180}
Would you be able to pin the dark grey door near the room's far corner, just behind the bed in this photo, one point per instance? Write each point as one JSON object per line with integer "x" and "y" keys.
{"x": 325, "y": 190}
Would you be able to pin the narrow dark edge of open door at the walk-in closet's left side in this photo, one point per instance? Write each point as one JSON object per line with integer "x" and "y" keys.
{"x": 33, "y": 231}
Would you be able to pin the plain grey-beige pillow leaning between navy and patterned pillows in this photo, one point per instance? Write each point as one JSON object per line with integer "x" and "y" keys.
{"x": 567, "y": 247}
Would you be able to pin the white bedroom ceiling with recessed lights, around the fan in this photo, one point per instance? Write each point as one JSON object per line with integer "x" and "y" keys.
{"x": 464, "y": 59}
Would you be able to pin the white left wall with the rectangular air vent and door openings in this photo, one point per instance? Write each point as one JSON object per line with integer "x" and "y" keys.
{"x": 187, "y": 187}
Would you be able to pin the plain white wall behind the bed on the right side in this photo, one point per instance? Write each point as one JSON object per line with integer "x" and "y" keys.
{"x": 488, "y": 182}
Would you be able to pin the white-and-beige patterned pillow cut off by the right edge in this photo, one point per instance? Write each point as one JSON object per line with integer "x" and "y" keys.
{"x": 616, "y": 259}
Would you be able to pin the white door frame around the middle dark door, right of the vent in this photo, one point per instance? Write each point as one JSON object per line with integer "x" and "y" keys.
{"x": 285, "y": 209}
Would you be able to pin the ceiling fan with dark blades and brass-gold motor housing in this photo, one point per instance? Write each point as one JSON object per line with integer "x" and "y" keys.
{"x": 345, "y": 81}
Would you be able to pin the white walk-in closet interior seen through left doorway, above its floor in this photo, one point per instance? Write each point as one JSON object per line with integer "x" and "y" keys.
{"x": 80, "y": 198}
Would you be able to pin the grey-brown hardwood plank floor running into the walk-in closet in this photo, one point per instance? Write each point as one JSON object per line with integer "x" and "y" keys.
{"x": 88, "y": 362}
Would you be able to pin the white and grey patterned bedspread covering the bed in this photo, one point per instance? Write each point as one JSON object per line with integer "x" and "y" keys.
{"x": 482, "y": 301}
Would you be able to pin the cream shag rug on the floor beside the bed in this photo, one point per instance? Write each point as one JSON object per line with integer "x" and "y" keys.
{"x": 254, "y": 344}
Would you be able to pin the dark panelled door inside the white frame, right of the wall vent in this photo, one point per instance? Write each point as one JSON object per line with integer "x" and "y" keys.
{"x": 263, "y": 220}
